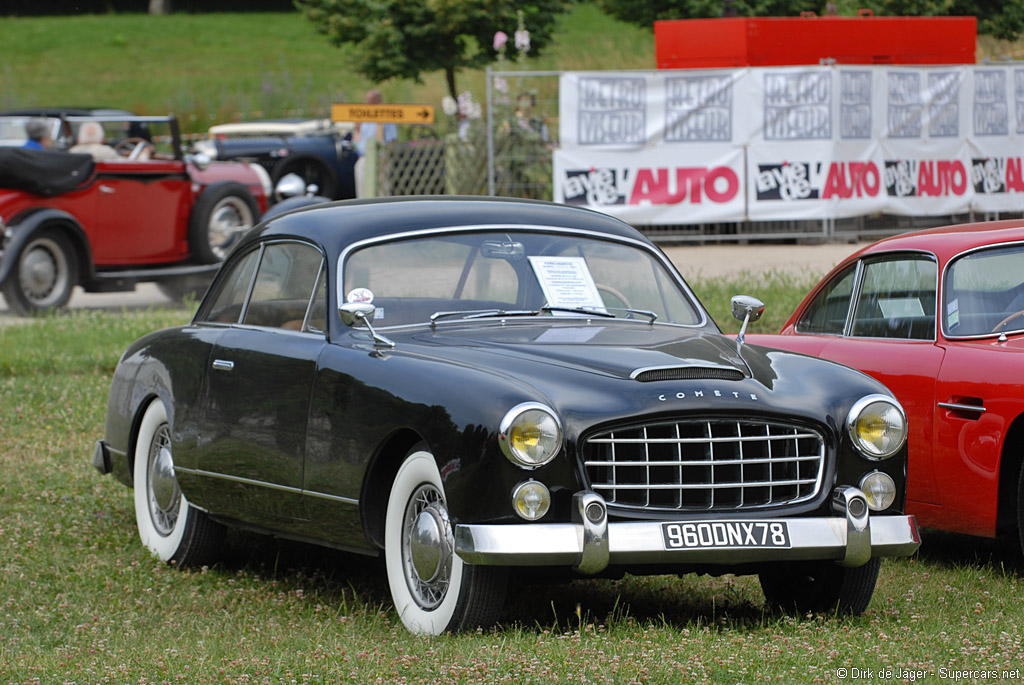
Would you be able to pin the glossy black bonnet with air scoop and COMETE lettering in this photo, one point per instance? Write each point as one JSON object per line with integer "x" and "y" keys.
{"x": 639, "y": 364}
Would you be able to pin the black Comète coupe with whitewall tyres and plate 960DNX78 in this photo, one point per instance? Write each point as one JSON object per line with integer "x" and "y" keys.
{"x": 476, "y": 387}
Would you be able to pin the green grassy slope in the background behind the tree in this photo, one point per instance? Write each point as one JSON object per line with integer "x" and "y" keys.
{"x": 215, "y": 68}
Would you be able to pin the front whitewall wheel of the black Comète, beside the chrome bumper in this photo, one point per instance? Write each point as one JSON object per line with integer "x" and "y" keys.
{"x": 434, "y": 590}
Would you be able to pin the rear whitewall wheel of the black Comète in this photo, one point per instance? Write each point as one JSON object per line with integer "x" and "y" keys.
{"x": 170, "y": 528}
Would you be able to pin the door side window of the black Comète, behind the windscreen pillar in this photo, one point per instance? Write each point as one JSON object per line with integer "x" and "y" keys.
{"x": 286, "y": 280}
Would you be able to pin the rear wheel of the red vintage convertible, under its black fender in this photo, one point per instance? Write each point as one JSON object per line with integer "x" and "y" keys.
{"x": 45, "y": 275}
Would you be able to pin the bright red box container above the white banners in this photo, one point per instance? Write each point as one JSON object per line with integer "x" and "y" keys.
{"x": 813, "y": 40}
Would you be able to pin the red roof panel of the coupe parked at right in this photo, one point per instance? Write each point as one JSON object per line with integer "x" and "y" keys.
{"x": 948, "y": 242}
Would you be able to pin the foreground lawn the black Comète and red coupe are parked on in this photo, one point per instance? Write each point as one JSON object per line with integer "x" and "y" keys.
{"x": 81, "y": 601}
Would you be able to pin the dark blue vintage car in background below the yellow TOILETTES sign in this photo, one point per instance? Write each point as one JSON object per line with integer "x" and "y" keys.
{"x": 317, "y": 150}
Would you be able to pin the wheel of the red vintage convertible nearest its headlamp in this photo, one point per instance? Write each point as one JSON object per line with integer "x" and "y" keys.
{"x": 224, "y": 212}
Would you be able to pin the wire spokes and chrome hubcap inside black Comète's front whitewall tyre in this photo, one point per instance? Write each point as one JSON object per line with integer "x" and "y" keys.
{"x": 428, "y": 547}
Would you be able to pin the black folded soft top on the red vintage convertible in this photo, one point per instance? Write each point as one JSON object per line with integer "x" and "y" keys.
{"x": 44, "y": 172}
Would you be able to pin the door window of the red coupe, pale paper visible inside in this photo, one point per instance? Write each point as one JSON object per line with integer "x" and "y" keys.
{"x": 898, "y": 299}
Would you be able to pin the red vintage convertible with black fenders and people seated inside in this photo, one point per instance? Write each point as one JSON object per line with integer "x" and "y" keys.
{"x": 150, "y": 213}
